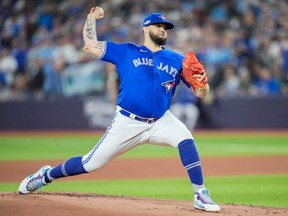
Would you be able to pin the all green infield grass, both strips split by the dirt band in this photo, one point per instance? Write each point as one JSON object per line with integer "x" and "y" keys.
{"x": 264, "y": 190}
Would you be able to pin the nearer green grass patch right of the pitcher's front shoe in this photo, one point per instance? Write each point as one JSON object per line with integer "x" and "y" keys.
{"x": 264, "y": 190}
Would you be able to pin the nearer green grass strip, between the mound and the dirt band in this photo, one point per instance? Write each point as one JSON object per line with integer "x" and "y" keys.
{"x": 267, "y": 190}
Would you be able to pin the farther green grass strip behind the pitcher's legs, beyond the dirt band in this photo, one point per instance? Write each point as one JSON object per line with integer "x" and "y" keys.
{"x": 55, "y": 147}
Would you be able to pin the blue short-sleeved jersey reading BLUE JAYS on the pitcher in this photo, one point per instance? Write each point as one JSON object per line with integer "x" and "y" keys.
{"x": 147, "y": 80}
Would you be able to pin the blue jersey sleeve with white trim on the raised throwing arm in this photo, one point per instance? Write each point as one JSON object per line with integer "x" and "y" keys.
{"x": 114, "y": 52}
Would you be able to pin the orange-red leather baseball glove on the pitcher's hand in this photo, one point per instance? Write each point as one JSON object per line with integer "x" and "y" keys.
{"x": 193, "y": 71}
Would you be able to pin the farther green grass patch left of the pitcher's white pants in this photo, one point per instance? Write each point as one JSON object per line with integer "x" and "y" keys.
{"x": 41, "y": 148}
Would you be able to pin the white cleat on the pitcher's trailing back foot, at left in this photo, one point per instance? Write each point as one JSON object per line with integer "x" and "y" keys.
{"x": 34, "y": 181}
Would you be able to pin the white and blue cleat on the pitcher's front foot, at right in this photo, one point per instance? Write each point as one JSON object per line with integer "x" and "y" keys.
{"x": 202, "y": 201}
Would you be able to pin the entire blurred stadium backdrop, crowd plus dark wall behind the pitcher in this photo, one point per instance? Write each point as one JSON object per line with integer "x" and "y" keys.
{"x": 243, "y": 45}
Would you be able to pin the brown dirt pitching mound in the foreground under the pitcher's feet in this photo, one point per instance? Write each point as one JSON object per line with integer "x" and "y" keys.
{"x": 70, "y": 204}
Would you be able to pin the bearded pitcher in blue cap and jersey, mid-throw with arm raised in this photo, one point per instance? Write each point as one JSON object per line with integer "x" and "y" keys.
{"x": 149, "y": 75}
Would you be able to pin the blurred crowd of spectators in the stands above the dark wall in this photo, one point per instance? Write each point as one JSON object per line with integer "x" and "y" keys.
{"x": 242, "y": 43}
